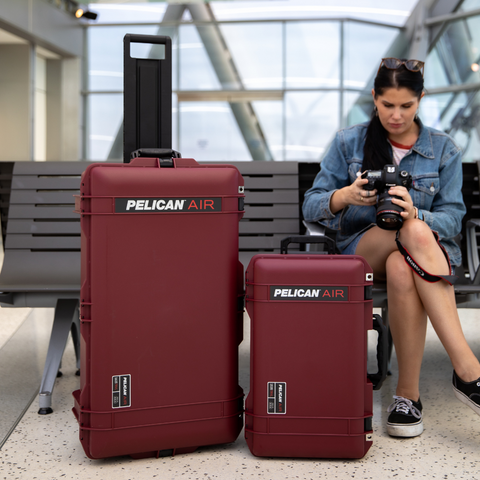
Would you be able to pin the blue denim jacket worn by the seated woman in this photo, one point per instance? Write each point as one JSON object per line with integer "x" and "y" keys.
{"x": 435, "y": 165}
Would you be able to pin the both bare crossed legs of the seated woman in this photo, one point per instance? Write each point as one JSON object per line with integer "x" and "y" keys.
{"x": 407, "y": 307}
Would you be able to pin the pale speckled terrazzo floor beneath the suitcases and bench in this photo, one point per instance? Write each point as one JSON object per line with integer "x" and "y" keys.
{"x": 48, "y": 447}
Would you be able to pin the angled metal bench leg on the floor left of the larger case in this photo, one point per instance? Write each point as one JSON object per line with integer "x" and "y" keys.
{"x": 66, "y": 319}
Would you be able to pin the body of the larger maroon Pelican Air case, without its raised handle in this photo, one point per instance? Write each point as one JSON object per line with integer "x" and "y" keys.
{"x": 160, "y": 316}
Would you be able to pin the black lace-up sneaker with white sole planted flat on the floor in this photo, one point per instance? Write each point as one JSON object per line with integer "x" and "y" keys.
{"x": 405, "y": 419}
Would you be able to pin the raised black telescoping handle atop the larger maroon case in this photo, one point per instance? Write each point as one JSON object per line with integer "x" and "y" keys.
{"x": 147, "y": 99}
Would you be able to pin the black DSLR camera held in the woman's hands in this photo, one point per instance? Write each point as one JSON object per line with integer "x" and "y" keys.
{"x": 388, "y": 214}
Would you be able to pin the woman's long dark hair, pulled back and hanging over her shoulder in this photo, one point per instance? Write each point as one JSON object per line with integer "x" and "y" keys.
{"x": 376, "y": 152}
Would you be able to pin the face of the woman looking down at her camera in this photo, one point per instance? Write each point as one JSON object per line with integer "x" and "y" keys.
{"x": 396, "y": 110}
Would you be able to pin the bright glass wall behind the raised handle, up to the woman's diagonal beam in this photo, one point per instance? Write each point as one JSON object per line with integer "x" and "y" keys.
{"x": 315, "y": 70}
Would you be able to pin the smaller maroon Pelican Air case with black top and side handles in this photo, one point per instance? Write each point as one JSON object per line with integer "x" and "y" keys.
{"x": 310, "y": 395}
